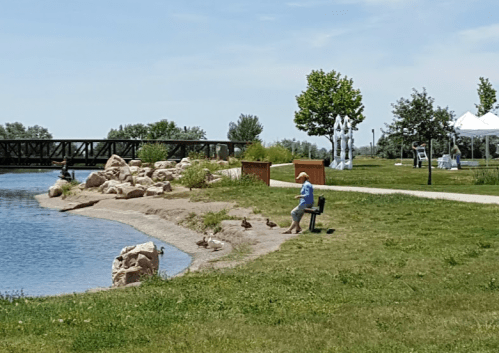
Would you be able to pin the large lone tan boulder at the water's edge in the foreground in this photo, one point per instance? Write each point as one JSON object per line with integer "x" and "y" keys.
{"x": 133, "y": 263}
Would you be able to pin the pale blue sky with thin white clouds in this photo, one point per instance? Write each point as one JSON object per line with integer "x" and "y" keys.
{"x": 80, "y": 68}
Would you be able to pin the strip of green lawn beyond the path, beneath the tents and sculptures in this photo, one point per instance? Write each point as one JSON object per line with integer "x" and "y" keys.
{"x": 383, "y": 173}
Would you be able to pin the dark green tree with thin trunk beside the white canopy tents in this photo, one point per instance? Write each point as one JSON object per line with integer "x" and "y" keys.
{"x": 417, "y": 120}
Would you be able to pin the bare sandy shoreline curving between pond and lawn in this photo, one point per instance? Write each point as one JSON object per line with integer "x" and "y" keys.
{"x": 158, "y": 218}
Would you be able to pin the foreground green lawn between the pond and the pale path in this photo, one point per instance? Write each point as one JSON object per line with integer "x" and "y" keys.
{"x": 399, "y": 274}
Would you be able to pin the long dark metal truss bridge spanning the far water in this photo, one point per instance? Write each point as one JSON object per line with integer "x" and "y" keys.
{"x": 93, "y": 154}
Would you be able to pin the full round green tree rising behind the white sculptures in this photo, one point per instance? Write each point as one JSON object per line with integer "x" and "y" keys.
{"x": 328, "y": 95}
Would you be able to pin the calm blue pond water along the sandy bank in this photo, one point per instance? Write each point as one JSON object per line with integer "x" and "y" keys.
{"x": 46, "y": 252}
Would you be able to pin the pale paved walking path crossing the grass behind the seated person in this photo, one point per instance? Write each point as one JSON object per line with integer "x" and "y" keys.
{"x": 236, "y": 172}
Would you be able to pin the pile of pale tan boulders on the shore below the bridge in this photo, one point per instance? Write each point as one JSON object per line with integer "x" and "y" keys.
{"x": 136, "y": 179}
